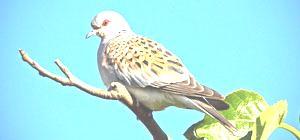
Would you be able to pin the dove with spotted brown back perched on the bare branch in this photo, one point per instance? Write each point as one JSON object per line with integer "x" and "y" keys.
{"x": 152, "y": 74}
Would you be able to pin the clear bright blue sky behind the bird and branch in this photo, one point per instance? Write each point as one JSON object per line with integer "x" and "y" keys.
{"x": 251, "y": 44}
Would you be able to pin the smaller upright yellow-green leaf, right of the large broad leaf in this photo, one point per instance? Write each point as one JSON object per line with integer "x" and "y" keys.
{"x": 269, "y": 120}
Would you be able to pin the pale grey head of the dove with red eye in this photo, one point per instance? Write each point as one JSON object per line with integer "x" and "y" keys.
{"x": 107, "y": 25}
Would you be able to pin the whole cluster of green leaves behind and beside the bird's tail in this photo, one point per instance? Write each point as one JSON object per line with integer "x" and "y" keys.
{"x": 251, "y": 115}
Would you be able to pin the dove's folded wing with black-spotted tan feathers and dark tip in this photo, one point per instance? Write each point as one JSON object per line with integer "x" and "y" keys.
{"x": 141, "y": 62}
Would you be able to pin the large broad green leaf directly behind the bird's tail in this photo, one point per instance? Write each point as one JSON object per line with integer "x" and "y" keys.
{"x": 245, "y": 107}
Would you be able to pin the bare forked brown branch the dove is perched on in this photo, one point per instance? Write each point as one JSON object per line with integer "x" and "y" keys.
{"x": 116, "y": 91}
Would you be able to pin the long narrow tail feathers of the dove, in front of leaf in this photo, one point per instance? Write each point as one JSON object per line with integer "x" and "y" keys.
{"x": 210, "y": 110}
